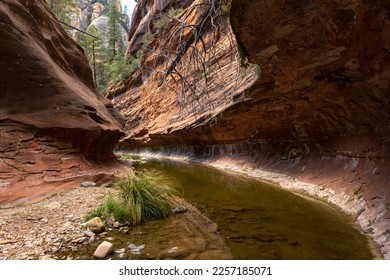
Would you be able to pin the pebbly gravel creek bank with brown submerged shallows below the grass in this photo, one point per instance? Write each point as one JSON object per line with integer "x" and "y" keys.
{"x": 53, "y": 229}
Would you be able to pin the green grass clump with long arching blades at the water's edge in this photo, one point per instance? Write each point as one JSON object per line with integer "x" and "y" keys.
{"x": 141, "y": 197}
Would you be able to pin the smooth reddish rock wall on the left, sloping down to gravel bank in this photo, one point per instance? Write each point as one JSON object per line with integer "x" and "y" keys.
{"x": 54, "y": 128}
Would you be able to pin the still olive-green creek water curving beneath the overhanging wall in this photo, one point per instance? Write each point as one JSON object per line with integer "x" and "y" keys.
{"x": 260, "y": 221}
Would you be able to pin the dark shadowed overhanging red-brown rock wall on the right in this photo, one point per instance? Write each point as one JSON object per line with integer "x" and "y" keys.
{"x": 324, "y": 95}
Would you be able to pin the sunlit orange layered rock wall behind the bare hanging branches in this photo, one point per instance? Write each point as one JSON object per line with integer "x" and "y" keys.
{"x": 159, "y": 108}
